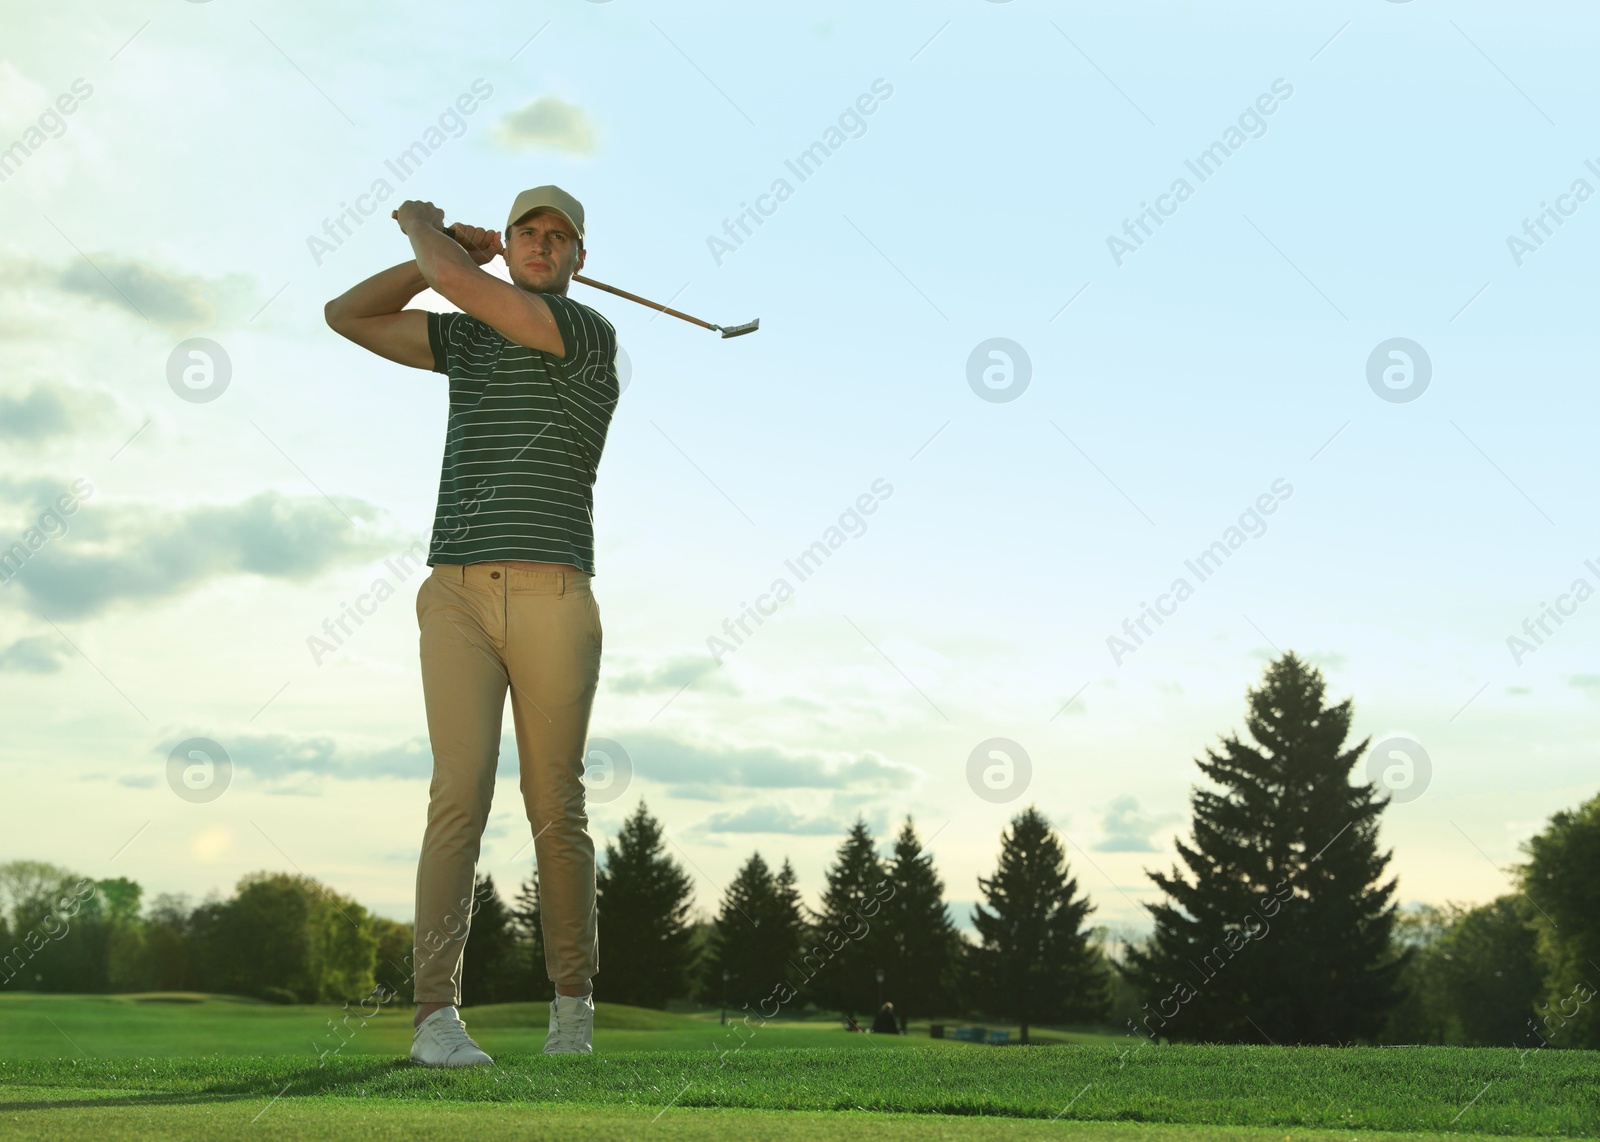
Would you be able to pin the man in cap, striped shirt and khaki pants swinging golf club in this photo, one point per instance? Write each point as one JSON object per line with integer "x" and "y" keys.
{"x": 508, "y": 604}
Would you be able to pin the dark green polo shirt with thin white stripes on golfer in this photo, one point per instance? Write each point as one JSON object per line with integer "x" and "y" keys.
{"x": 524, "y": 439}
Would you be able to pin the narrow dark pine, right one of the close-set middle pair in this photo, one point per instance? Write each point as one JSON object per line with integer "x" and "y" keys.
{"x": 926, "y": 946}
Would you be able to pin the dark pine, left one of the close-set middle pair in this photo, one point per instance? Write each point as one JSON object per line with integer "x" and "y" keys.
{"x": 849, "y": 943}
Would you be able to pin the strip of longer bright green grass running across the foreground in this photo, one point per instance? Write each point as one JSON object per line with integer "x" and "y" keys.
{"x": 1433, "y": 1090}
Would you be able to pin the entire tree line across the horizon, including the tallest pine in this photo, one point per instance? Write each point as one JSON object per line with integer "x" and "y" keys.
{"x": 1281, "y": 927}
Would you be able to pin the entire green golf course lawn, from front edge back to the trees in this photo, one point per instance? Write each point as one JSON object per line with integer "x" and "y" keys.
{"x": 767, "y": 1088}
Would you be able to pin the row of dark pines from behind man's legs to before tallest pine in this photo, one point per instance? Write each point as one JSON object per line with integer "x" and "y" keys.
{"x": 882, "y": 932}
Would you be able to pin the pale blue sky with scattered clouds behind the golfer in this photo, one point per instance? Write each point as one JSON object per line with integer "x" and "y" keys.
{"x": 1226, "y": 359}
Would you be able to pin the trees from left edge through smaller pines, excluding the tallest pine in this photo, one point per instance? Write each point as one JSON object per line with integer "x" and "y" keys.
{"x": 882, "y": 932}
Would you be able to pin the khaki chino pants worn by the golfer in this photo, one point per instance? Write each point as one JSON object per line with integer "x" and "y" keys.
{"x": 487, "y": 628}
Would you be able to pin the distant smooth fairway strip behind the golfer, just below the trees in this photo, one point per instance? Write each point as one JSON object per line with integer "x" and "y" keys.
{"x": 188, "y": 1024}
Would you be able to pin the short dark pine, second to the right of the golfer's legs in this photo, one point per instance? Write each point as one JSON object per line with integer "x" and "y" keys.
{"x": 756, "y": 936}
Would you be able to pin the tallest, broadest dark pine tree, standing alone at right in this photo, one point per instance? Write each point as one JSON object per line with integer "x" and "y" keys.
{"x": 1284, "y": 876}
